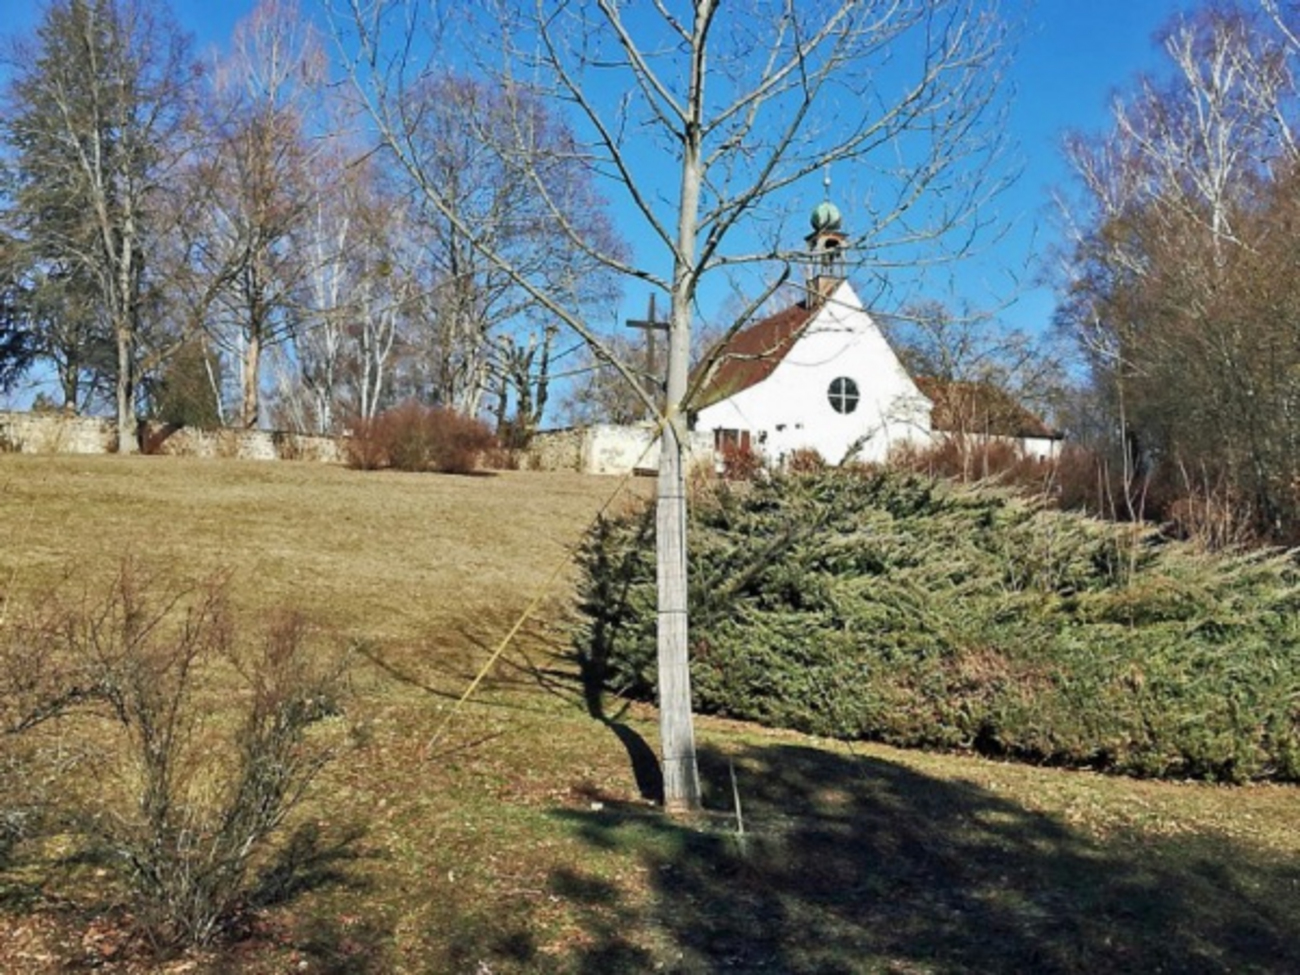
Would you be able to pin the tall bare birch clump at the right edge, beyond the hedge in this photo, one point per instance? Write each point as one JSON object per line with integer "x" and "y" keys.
{"x": 1175, "y": 288}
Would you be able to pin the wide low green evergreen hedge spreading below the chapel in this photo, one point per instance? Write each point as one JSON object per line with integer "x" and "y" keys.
{"x": 892, "y": 608}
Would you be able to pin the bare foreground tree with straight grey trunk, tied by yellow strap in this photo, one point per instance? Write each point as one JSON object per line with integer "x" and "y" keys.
{"x": 704, "y": 123}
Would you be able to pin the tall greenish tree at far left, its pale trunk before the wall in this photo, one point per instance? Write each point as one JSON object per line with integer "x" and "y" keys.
{"x": 99, "y": 103}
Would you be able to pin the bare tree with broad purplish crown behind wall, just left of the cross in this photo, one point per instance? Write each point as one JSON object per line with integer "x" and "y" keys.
{"x": 489, "y": 146}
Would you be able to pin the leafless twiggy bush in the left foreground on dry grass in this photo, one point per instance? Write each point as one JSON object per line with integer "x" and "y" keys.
{"x": 190, "y": 779}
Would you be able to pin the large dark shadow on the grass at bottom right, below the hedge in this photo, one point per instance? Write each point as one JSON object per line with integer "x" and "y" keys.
{"x": 859, "y": 865}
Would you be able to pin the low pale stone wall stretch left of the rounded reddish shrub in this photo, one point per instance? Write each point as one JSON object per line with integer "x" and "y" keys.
{"x": 59, "y": 434}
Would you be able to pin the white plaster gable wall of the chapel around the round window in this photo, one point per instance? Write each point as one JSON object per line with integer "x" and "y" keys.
{"x": 792, "y": 410}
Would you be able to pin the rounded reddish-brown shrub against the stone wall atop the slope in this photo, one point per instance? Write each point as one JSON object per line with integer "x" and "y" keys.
{"x": 417, "y": 437}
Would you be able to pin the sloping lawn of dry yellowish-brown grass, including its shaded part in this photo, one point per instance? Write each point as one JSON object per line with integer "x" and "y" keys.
{"x": 513, "y": 835}
